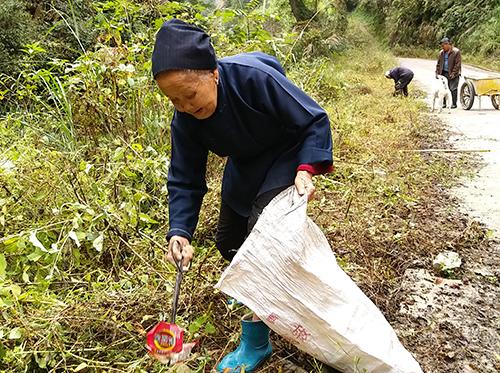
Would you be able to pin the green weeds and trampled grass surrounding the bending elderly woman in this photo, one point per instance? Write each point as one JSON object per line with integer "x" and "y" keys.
{"x": 84, "y": 147}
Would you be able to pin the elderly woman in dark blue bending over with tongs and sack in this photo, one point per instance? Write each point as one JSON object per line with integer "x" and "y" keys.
{"x": 242, "y": 107}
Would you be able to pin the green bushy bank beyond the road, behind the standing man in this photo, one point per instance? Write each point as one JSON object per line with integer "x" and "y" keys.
{"x": 413, "y": 28}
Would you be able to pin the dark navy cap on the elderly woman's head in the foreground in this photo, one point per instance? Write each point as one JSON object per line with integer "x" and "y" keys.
{"x": 181, "y": 46}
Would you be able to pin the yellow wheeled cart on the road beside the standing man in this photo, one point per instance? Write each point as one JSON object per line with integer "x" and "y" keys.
{"x": 474, "y": 86}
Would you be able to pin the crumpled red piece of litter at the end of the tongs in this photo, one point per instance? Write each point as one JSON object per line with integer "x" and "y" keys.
{"x": 165, "y": 339}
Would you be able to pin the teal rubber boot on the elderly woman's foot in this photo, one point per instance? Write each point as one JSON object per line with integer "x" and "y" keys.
{"x": 253, "y": 350}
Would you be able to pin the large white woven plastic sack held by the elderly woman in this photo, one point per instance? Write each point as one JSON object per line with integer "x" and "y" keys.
{"x": 287, "y": 274}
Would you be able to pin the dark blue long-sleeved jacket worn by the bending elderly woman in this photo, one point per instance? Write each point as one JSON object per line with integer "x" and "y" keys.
{"x": 263, "y": 123}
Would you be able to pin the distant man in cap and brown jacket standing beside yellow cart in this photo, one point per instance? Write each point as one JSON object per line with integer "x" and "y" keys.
{"x": 449, "y": 65}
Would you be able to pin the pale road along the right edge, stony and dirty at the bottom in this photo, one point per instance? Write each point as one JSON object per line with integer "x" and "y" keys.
{"x": 452, "y": 325}
